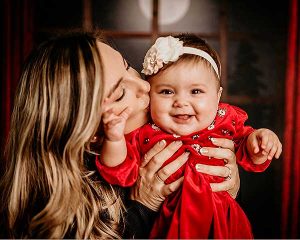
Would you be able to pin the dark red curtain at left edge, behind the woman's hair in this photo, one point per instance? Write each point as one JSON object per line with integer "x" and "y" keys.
{"x": 17, "y": 41}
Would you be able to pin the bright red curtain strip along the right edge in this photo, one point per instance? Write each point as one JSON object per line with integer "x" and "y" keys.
{"x": 291, "y": 151}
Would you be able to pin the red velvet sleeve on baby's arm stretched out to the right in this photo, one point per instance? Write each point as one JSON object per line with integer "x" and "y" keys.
{"x": 242, "y": 133}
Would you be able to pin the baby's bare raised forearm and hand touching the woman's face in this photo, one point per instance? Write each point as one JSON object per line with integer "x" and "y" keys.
{"x": 114, "y": 149}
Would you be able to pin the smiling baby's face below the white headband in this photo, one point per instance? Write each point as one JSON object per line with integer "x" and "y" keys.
{"x": 184, "y": 98}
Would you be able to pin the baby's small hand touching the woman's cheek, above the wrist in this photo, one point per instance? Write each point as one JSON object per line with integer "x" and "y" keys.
{"x": 114, "y": 125}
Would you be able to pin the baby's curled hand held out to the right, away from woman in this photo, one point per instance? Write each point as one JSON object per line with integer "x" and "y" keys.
{"x": 263, "y": 144}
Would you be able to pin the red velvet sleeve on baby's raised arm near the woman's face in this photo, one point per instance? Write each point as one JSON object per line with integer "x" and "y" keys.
{"x": 126, "y": 173}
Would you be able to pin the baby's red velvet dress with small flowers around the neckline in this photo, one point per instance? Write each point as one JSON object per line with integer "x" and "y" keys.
{"x": 194, "y": 211}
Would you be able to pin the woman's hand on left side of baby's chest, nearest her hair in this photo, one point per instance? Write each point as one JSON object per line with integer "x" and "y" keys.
{"x": 150, "y": 189}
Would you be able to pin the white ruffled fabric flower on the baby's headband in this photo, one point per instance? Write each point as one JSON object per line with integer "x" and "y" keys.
{"x": 165, "y": 50}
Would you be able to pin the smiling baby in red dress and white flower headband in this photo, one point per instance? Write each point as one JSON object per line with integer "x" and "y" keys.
{"x": 184, "y": 74}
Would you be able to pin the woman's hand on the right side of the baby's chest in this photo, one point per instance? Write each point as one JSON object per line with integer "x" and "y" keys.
{"x": 229, "y": 171}
